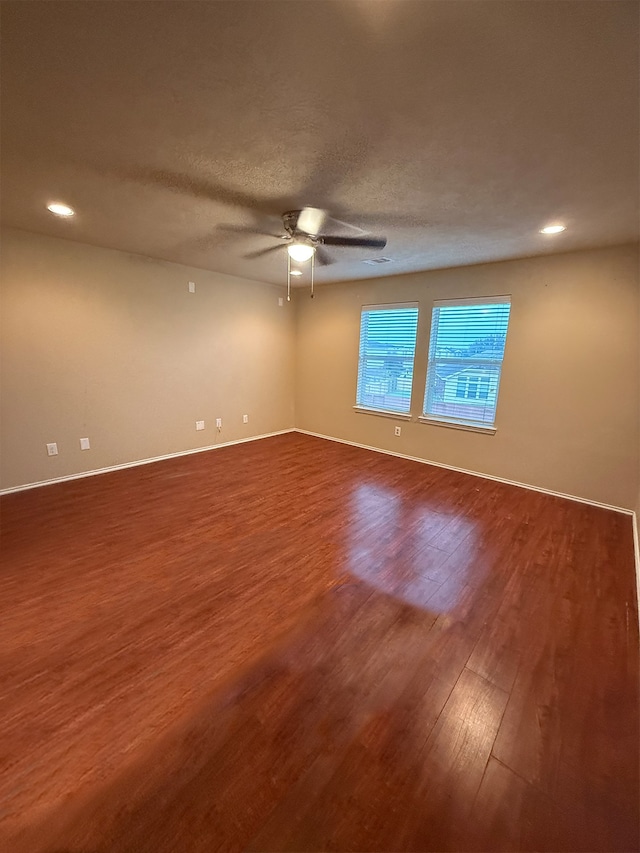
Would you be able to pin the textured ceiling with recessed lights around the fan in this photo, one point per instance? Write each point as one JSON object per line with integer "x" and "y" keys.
{"x": 457, "y": 129}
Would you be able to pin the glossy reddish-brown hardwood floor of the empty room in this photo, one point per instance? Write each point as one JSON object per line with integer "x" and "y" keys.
{"x": 298, "y": 645}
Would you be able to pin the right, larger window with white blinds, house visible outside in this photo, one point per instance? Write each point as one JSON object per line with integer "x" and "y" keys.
{"x": 466, "y": 349}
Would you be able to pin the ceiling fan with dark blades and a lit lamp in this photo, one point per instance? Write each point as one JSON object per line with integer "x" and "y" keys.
{"x": 304, "y": 240}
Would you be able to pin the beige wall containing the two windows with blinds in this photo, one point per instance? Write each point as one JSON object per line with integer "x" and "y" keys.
{"x": 568, "y": 413}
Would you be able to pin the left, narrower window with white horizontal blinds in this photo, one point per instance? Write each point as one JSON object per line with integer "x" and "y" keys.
{"x": 387, "y": 349}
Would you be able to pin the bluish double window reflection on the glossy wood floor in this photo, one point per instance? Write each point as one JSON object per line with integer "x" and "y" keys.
{"x": 404, "y": 548}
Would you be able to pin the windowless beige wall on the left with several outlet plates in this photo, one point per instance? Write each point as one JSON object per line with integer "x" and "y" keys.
{"x": 111, "y": 346}
